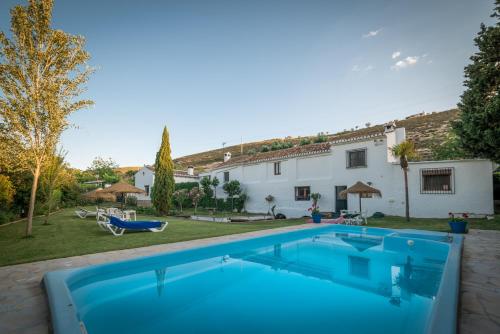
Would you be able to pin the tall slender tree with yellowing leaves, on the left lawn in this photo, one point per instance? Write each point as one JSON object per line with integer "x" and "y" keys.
{"x": 42, "y": 71}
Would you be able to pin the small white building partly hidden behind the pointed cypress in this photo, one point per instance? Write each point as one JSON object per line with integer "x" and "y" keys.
{"x": 144, "y": 179}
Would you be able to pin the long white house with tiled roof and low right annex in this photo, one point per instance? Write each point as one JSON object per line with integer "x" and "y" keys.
{"x": 291, "y": 175}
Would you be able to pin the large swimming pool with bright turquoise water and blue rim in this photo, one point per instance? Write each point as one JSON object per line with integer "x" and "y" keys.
{"x": 333, "y": 279}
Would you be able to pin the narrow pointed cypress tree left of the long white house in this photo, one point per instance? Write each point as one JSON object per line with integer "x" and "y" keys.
{"x": 164, "y": 184}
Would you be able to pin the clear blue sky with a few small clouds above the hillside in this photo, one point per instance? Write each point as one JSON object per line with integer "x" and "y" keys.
{"x": 219, "y": 71}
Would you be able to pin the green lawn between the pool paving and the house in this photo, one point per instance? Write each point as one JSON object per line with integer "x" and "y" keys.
{"x": 68, "y": 235}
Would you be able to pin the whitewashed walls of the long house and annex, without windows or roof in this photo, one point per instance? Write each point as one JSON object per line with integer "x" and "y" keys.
{"x": 472, "y": 178}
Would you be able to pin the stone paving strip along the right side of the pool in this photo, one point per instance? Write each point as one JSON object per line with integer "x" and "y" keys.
{"x": 480, "y": 287}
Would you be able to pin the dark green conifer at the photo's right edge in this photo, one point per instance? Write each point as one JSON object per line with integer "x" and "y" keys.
{"x": 478, "y": 127}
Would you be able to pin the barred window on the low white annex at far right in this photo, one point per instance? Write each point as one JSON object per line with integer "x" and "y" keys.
{"x": 436, "y": 181}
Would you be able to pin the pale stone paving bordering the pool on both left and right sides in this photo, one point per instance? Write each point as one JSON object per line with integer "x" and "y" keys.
{"x": 23, "y": 306}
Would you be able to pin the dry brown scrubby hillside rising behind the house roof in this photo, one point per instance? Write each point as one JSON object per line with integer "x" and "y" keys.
{"x": 424, "y": 129}
